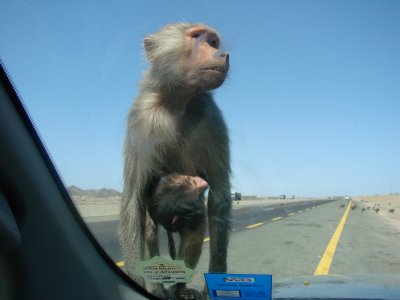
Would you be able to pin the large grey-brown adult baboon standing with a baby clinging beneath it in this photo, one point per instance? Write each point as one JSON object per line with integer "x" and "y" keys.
{"x": 175, "y": 126}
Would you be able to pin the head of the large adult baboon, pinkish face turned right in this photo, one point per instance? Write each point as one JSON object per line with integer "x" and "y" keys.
{"x": 187, "y": 57}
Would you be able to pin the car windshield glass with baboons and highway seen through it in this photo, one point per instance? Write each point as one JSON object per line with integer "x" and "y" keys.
{"x": 306, "y": 92}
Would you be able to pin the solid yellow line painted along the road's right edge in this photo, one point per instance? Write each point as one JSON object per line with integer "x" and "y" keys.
{"x": 326, "y": 260}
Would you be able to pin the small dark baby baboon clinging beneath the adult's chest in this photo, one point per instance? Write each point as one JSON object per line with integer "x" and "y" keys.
{"x": 177, "y": 203}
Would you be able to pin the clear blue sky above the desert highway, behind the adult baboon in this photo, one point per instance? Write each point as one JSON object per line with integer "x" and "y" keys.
{"x": 312, "y": 100}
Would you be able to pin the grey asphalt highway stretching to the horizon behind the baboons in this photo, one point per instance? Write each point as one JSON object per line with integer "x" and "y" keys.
{"x": 290, "y": 240}
